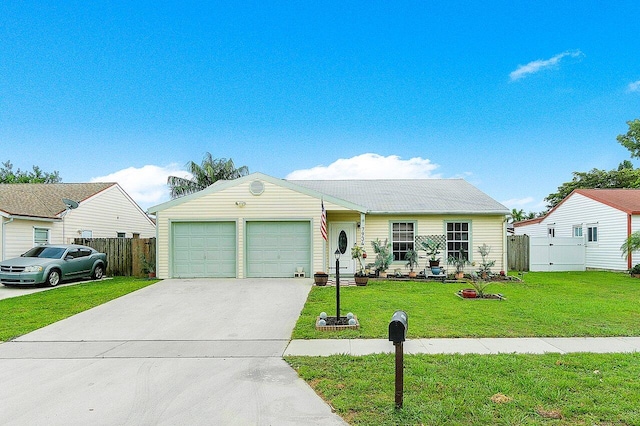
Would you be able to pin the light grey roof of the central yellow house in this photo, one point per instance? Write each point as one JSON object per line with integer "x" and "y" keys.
{"x": 388, "y": 196}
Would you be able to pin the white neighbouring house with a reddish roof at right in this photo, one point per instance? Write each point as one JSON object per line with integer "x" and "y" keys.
{"x": 601, "y": 219}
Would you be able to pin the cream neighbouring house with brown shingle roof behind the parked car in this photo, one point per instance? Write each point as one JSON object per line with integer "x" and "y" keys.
{"x": 33, "y": 214}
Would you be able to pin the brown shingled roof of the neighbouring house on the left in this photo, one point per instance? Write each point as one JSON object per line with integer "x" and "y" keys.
{"x": 44, "y": 200}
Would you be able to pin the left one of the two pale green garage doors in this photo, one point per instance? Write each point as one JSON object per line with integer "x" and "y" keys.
{"x": 204, "y": 250}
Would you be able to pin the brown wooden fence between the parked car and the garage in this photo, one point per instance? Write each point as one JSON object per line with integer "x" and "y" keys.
{"x": 125, "y": 256}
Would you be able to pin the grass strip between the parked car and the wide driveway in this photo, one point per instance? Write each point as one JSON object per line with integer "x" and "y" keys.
{"x": 23, "y": 314}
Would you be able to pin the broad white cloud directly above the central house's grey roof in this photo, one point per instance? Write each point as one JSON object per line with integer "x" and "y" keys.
{"x": 370, "y": 166}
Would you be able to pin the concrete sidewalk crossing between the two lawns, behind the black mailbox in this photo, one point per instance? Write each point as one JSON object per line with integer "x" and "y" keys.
{"x": 532, "y": 345}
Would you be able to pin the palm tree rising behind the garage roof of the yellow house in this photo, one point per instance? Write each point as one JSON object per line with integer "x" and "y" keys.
{"x": 207, "y": 173}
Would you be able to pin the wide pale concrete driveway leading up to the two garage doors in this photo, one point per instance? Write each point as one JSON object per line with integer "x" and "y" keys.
{"x": 180, "y": 352}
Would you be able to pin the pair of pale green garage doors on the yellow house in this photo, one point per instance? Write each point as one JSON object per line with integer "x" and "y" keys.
{"x": 210, "y": 249}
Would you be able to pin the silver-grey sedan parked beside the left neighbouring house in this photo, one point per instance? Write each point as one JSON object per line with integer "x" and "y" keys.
{"x": 52, "y": 264}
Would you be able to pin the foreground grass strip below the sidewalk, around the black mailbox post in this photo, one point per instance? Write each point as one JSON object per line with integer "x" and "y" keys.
{"x": 505, "y": 389}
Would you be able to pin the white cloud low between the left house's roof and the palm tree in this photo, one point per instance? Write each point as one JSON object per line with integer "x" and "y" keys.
{"x": 147, "y": 185}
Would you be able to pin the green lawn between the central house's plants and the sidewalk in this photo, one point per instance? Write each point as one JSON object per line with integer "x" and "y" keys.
{"x": 544, "y": 304}
